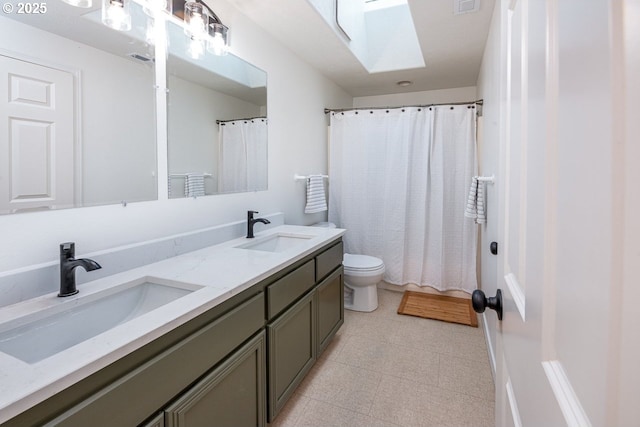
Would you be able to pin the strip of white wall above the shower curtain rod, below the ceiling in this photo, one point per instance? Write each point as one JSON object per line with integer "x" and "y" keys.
{"x": 461, "y": 94}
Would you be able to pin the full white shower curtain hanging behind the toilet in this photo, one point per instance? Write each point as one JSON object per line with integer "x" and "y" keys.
{"x": 399, "y": 181}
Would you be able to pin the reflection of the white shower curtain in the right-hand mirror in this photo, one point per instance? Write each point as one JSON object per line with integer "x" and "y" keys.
{"x": 243, "y": 155}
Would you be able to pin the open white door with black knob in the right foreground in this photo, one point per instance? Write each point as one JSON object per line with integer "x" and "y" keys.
{"x": 568, "y": 344}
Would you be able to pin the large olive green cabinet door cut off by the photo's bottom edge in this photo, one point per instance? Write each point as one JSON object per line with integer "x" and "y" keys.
{"x": 233, "y": 394}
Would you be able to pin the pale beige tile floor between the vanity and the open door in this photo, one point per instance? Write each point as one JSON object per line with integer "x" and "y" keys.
{"x": 385, "y": 369}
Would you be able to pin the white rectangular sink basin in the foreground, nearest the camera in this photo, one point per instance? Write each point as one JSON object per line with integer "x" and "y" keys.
{"x": 42, "y": 334}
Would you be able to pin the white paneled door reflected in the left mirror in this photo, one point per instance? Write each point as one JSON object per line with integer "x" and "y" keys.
{"x": 37, "y": 136}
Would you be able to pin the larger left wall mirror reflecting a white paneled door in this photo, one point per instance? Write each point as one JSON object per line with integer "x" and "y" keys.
{"x": 77, "y": 110}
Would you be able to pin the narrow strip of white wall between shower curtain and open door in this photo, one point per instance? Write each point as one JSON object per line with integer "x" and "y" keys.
{"x": 489, "y": 90}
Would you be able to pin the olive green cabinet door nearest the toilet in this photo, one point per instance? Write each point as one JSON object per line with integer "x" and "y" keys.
{"x": 330, "y": 298}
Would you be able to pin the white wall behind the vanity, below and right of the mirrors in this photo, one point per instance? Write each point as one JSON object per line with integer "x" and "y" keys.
{"x": 297, "y": 95}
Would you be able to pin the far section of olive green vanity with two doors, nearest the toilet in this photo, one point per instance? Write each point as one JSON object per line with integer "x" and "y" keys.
{"x": 313, "y": 295}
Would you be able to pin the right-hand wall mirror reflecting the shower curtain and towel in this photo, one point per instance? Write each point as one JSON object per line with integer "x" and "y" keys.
{"x": 217, "y": 121}
